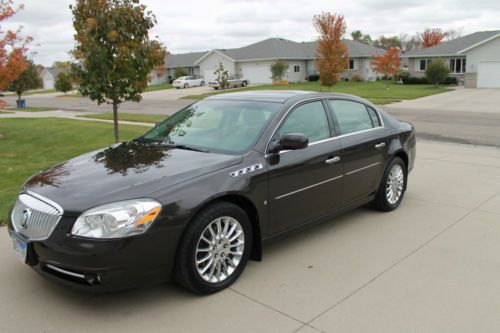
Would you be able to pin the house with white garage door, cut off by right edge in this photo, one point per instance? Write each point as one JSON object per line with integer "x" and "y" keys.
{"x": 473, "y": 59}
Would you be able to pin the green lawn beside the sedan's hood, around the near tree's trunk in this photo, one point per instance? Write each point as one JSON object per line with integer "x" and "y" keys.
{"x": 30, "y": 145}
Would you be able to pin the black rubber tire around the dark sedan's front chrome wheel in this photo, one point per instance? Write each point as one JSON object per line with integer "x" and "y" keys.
{"x": 186, "y": 272}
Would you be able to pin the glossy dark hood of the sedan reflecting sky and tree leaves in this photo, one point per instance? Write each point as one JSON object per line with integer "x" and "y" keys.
{"x": 124, "y": 171}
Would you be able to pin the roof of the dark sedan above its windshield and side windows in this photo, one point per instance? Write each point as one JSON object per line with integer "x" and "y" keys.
{"x": 281, "y": 96}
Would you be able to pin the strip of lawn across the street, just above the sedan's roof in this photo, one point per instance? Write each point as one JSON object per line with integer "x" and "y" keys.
{"x": 379, "y": 92}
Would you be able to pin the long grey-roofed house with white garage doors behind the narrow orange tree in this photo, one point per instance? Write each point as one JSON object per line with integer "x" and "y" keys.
{"x": 253, "y": 61}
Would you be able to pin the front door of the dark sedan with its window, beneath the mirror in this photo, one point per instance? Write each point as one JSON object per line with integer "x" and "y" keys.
{"x": 304, "y": 183}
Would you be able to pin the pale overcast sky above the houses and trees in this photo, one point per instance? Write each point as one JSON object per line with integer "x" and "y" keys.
{"x": 188, "y": 25}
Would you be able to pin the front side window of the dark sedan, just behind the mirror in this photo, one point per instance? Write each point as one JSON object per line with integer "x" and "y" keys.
{"x": 309, "y": 119}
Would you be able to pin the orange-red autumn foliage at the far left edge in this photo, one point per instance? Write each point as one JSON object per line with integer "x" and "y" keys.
{"x": 12, "y": 48}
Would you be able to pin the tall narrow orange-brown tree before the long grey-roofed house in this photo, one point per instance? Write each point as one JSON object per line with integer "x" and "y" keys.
{"x": 331, "y": 52}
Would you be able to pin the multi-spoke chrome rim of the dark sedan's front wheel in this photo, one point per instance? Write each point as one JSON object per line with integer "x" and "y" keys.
{"x": 220, "y": 249}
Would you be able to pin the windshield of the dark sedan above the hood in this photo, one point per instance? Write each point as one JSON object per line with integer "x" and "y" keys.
{"x": 222, "y": 126}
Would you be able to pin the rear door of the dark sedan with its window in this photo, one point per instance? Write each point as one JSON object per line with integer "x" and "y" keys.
{"x": 364, "y": 141}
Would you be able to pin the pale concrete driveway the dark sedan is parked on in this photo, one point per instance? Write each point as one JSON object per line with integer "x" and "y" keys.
{"x": 433, "y": 265}
